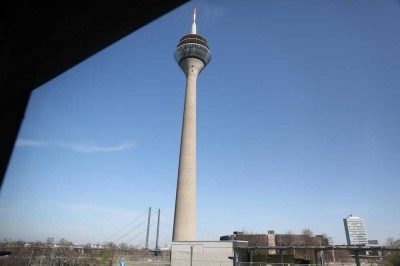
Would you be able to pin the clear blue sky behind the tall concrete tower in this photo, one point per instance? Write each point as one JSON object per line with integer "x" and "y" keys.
{"x": 298, "y": 127}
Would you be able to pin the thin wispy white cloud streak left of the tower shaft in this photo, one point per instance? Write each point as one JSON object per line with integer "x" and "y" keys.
{"x": 77, "y": 147}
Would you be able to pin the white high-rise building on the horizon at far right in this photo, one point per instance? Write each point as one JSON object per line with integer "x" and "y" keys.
{"x": 355, "y": 230}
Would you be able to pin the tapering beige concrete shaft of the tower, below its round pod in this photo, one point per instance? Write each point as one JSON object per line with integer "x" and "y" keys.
{"x": 185, "y": 204}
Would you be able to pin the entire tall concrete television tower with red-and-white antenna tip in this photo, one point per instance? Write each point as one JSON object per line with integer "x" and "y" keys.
{"x": 192, "y": 55}
